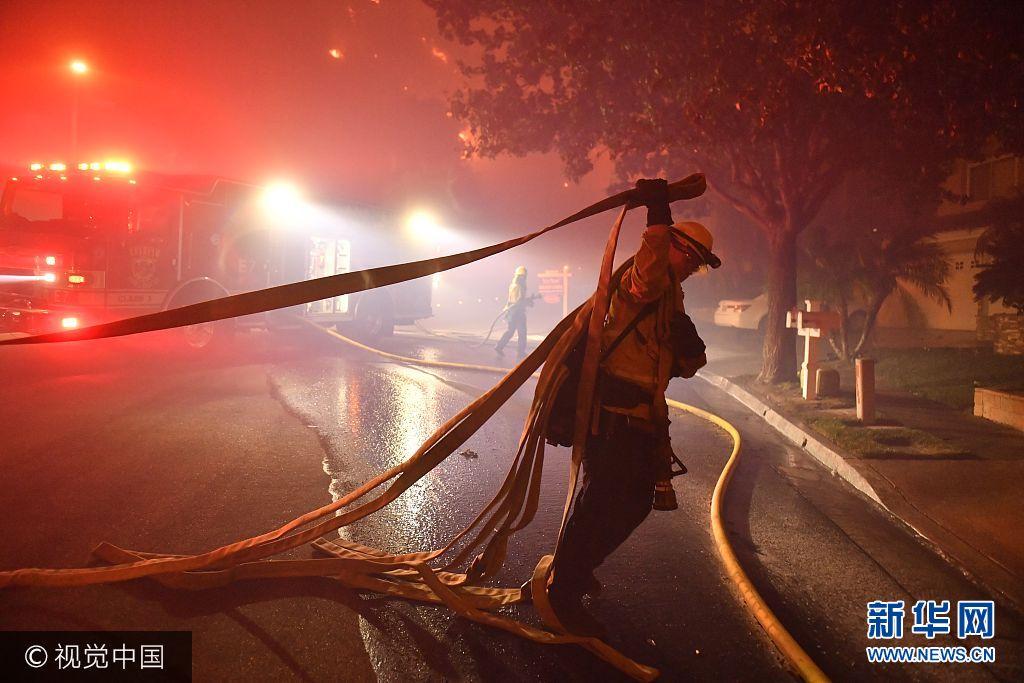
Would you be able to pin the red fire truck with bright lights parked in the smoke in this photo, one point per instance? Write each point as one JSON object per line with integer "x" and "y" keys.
{"x": 96, "y": 242}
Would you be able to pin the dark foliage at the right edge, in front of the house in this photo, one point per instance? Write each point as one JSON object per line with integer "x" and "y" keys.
{"x": 1002, "y": 250}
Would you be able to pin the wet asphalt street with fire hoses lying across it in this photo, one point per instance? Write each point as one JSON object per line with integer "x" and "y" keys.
{"x": 816, "y": 549}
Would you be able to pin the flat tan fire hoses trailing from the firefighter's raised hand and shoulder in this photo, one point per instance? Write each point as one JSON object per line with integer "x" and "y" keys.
{"x": 408, "y": 575}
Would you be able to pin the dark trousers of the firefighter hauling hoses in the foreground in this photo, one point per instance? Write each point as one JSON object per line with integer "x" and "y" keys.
{"x": 616, "y": 495}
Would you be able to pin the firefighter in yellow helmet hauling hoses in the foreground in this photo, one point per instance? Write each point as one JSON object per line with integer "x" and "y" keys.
{"x": 627, "y": 455}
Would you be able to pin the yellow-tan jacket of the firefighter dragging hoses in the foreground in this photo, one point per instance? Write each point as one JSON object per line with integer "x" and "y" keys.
{"x": 645, "y": 357}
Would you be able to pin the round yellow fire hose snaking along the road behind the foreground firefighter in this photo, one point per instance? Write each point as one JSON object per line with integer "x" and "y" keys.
{"x": 791, "y": 650}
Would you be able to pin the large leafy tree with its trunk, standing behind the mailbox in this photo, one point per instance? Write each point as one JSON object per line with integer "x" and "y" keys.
{"x": 776, "y": 101}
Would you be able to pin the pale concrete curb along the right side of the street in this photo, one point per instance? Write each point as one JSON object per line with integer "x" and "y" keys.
{"x": 980, "y": 569}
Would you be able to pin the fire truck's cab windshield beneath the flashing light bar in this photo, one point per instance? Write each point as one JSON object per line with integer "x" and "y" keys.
{"x": 52, "y": 210}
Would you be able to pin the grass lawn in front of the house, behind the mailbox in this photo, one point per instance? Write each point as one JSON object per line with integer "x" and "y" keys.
{"x": 945, "y": 375}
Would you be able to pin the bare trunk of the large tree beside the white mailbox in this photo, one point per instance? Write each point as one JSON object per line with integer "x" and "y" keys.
{"x": 779, "y": 353}
